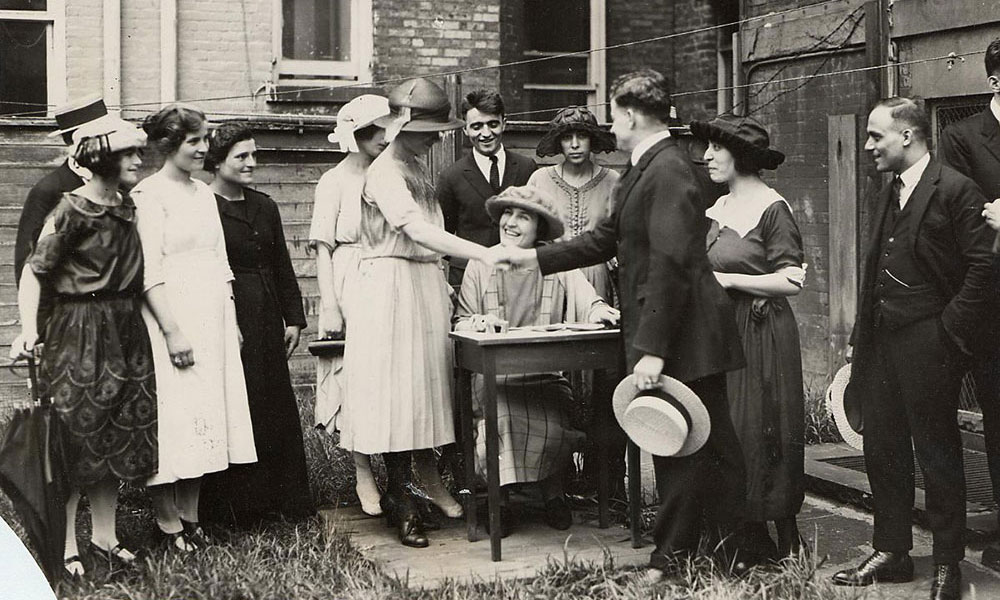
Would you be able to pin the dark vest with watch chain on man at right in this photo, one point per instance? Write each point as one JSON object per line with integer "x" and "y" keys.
{"x": 902, "y": 293}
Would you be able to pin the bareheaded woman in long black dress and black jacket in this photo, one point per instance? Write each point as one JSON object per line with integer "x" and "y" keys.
{"x": 270, "y": 316}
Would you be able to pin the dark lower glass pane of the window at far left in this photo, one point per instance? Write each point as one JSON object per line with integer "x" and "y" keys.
{"x": 23, "y": 52}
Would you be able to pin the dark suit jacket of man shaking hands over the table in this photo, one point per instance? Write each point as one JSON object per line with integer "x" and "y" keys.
{"x": 672, "y": 305}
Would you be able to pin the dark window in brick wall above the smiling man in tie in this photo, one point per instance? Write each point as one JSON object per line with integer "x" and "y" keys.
{"x": 577, "y": 79}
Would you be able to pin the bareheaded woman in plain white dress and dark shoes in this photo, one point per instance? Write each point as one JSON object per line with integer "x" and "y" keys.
{"x": 204, "y": 423}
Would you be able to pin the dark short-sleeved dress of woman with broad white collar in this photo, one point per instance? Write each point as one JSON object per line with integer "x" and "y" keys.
{"x": 765, "y": 398}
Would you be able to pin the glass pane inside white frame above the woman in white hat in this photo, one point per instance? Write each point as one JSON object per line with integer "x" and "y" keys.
{"x": 316, "y": 30}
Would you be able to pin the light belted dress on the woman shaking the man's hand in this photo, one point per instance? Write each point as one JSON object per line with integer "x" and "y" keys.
{"x": 399, "y": 359}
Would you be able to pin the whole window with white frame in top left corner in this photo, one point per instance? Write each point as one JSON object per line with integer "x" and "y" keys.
{"x": 31, "y": 55}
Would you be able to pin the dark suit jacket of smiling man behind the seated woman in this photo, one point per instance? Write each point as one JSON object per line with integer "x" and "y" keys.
{"x": 462, "y": 192}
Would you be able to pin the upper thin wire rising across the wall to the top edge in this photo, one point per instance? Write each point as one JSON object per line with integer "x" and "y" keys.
{"x": 501, "y": 66}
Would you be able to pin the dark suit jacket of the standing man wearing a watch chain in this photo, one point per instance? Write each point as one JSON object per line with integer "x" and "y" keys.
{"x": 952, "y": 247}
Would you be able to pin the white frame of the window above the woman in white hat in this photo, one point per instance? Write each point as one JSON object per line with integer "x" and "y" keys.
{"x": 356, "y": 70}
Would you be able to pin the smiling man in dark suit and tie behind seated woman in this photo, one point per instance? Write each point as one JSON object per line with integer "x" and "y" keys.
{"x": 464, "y": 187}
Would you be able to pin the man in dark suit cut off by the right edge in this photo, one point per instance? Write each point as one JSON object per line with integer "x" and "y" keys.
{"x": 972, "y": 147}
